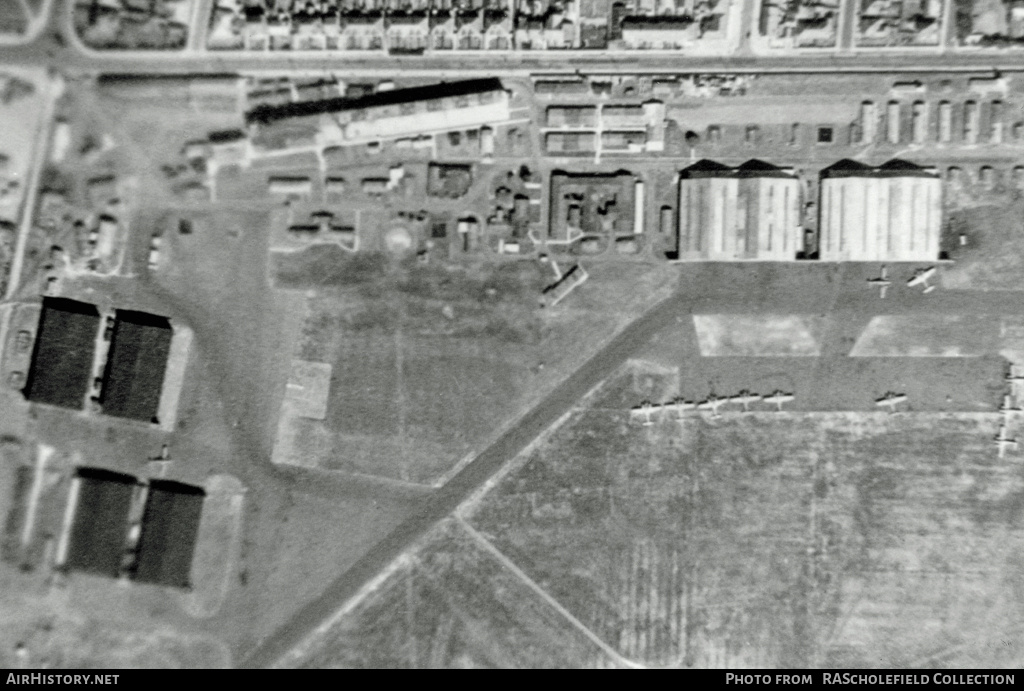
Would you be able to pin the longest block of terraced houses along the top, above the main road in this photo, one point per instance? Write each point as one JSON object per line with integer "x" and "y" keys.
{"x": 474, "y": 25}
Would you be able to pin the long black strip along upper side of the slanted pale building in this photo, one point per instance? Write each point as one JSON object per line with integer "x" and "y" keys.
{"x": 269, "y": 114}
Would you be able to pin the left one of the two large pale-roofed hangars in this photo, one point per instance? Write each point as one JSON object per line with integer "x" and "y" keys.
{"x": 739, "y": 214}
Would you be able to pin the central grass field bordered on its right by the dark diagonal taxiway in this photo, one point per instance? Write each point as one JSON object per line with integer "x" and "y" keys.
{"x": 430, "y": 362}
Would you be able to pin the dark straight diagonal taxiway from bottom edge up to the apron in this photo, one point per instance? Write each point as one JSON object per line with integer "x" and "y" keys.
{"x": 460, "y": 488}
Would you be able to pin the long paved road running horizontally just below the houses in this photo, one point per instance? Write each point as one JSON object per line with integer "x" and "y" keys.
{"x": 60, "y": 49}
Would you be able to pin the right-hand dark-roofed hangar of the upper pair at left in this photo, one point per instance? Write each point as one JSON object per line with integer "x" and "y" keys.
{"x": 136, "y": 367}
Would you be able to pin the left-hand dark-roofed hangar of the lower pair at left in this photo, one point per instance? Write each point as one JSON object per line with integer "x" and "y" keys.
{"x": 100, "y": 530}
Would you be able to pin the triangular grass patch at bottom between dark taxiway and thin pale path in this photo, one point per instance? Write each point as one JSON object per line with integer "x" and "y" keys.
{"x": 452, "y": 606}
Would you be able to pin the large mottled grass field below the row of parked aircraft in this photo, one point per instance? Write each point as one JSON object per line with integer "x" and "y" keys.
{"x": 766, "y": 541}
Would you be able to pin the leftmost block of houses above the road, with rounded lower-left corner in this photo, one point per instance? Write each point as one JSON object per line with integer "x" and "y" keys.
{"x": 159, "y": 25}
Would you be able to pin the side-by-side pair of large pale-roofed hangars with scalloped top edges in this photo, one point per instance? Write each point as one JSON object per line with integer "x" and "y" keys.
{"x": 755, "y": 212}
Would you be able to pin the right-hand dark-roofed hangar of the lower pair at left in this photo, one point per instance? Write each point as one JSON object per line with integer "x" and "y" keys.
{"x": 170, "y": 526}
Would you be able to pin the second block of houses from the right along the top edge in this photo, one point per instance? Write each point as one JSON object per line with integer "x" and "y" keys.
{"x": 898, "y": 23}
